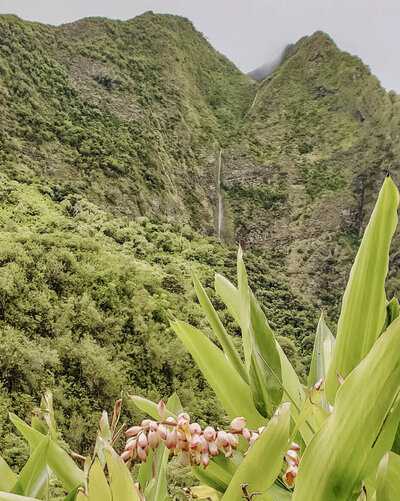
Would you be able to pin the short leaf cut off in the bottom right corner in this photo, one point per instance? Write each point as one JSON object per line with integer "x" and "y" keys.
{"x": 388, "y": 478}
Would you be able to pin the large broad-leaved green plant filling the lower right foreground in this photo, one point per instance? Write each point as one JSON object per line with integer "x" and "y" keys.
{"x": 345, "y": 420}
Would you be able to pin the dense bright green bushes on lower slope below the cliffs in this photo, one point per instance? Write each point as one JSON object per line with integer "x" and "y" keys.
{"x": 85, "y": 300}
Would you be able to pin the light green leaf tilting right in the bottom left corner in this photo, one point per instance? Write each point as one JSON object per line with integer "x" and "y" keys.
{"x": 35, "y": 474}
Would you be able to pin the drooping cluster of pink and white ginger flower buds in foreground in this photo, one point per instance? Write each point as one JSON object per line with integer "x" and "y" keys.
{"x": 180, "y": 436}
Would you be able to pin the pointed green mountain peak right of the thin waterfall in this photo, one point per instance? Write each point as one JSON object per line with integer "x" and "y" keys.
{"x": 315, "y": 148}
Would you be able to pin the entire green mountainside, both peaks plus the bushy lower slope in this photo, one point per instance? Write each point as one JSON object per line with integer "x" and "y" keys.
{"x": 109, "y": 145}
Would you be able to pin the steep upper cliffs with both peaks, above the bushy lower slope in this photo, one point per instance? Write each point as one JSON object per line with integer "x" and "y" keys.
{"x": 133, "y": 114}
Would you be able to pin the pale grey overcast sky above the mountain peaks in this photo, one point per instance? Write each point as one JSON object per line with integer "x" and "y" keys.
{"x": 252, "y": 32}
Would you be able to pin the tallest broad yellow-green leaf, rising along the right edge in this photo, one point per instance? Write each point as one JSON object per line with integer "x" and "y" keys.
{"x": 364, "y": 303}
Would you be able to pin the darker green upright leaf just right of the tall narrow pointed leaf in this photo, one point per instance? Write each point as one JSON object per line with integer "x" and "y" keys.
{"x": 264, "y": 379}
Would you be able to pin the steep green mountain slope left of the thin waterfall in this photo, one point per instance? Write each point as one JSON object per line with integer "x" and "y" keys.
{"x": 127, "y": 113}
